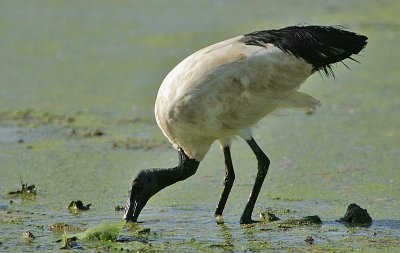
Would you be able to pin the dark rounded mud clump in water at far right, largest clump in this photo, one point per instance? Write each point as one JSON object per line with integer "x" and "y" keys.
{"x": 356, "y": 216}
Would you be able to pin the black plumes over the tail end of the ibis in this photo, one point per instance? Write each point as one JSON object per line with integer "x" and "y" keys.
{"x": 317, "y": 45}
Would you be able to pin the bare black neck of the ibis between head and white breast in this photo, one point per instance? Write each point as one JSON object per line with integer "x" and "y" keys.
{"x": 187, "y": 167}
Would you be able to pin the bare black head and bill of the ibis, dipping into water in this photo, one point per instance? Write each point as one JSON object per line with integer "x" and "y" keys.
{"x": 144, "y": 185}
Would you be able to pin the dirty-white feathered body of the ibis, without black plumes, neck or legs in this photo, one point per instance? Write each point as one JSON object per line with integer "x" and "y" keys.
{"x": 222, "y": 90}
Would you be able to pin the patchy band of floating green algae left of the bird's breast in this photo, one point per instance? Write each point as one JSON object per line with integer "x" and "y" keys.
{"x": 79, "y": 126}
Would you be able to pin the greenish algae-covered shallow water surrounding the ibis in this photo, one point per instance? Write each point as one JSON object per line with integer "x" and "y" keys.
{"x": 77, "y": 86}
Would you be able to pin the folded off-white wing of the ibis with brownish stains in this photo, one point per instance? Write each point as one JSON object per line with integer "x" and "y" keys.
{"x": 231, "y": 85}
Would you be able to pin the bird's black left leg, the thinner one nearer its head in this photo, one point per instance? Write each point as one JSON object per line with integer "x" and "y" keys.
{"x": 228, "y": 181}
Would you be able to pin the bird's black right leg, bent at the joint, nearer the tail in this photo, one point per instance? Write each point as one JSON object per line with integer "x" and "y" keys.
{"x": 263, "y": 164}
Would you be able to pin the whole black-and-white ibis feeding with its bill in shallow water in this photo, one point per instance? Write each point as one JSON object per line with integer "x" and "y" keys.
{"x": 221, "y": 91}
